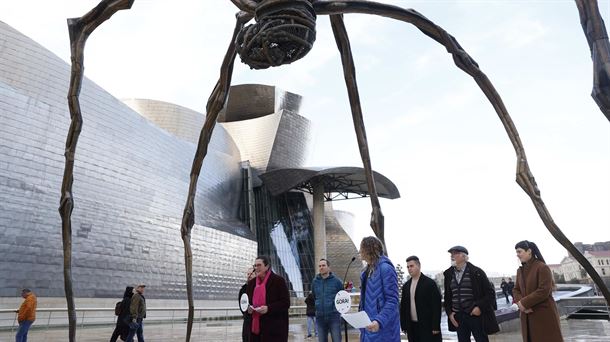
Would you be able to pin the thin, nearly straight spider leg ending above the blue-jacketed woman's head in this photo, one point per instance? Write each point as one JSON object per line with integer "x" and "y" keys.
{"x": 349, "y": 72}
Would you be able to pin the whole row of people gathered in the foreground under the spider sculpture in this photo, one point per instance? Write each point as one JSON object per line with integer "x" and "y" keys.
{"x": 468, "y": 300}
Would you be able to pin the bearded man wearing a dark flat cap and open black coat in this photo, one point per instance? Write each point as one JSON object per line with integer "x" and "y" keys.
{"x": 469, "y": 298}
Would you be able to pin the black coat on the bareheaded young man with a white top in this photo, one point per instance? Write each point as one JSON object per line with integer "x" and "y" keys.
{"x": 427, "y": 305}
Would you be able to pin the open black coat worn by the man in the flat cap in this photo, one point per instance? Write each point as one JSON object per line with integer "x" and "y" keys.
{"x": 484, "y": 297}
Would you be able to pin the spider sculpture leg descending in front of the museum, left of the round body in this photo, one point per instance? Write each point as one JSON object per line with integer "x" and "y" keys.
{"x": 213, "y": 107}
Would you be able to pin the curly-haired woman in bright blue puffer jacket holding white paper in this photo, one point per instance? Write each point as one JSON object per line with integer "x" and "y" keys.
{"x": 379, "y": 293}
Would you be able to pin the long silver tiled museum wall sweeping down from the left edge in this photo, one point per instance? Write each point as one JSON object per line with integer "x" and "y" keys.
{"x": 130, "y": 183}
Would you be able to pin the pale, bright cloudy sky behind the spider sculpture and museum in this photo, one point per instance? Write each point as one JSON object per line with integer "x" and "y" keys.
{"x": 430, "y": 129}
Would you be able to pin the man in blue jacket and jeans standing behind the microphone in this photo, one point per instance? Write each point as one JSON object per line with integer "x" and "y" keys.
{"x": 325, "y": 286}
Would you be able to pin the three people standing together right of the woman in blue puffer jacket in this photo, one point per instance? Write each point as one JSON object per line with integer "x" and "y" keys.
{"x": 469, "y": 299}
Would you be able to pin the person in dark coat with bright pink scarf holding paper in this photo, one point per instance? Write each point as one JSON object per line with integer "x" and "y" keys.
{"x": 269, "y": 303}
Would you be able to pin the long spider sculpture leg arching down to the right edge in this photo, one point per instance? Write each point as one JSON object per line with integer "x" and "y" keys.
{"x": 525, "y": 178}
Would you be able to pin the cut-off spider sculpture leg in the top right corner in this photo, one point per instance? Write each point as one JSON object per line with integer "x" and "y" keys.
{"x": 597, "y": 37}
